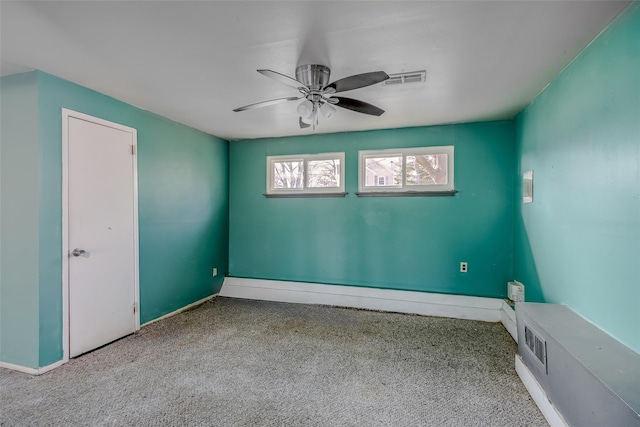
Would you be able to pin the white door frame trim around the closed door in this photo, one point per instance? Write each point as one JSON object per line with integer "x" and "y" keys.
{"x": 66, "y": 115}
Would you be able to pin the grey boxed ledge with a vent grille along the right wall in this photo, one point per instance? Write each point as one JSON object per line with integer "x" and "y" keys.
{"x": 590, "y": 378}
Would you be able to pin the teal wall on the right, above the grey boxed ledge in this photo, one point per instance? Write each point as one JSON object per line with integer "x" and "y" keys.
{"x": 578, "y": 243}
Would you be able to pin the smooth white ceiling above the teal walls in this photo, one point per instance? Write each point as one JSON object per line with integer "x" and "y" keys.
{"x": 194, "y": 62}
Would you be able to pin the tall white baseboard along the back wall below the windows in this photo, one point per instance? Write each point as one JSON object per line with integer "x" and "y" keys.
{"x": 429, "y": 304}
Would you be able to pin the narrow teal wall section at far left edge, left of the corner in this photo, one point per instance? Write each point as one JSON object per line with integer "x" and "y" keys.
{"x": 19, "y": 230}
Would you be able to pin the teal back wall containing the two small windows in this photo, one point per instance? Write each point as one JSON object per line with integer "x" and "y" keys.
{"x": 413, "y": 243}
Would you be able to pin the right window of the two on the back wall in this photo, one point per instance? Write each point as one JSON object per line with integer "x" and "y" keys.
{"x": 406, "y": 170}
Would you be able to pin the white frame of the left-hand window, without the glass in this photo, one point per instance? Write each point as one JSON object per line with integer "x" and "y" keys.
{"x": 306, "y": 158}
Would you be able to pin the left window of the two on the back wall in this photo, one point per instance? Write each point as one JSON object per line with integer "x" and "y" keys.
{"x": 305, "y": 174}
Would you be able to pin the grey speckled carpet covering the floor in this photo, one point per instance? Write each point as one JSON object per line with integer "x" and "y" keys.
{"x": 234, "y": 362}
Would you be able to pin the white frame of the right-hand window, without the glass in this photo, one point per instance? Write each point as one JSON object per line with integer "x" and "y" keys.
{"x": 404, "y": 152}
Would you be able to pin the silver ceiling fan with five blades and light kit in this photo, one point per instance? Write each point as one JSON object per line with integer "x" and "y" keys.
{"x": 312, "y": 81}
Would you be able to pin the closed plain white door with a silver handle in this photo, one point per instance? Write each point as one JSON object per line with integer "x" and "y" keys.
{"x": 102, "y": 224}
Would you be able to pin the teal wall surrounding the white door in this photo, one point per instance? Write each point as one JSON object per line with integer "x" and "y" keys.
{"x": 183, "y": 207}
